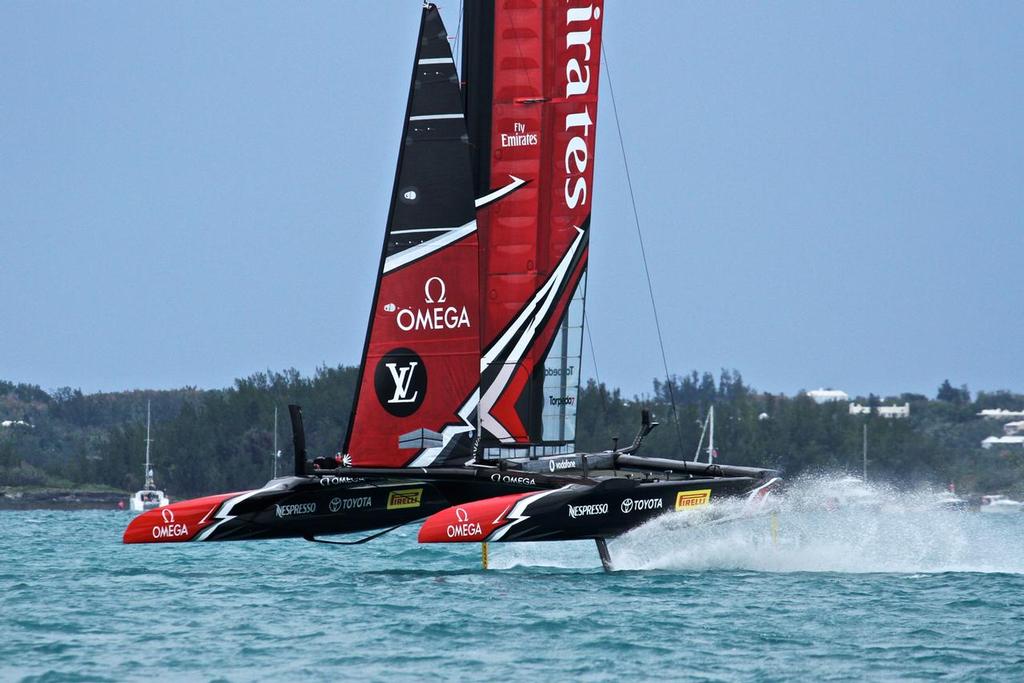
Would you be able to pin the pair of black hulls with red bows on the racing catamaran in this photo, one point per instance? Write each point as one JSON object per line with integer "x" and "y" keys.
{"x": 547, "y": 507}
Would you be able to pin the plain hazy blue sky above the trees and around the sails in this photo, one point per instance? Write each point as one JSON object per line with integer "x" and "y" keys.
{"x": 832, "y": 195}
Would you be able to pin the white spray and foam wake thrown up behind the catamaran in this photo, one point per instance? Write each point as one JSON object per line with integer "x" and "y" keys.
{"x": 874, "y": 530}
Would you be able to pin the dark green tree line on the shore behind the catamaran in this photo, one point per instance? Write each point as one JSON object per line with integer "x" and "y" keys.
{"x": 218, "y": 441}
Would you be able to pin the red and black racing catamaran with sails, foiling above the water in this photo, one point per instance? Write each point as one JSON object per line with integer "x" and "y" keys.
{"x": 466, "y": 400}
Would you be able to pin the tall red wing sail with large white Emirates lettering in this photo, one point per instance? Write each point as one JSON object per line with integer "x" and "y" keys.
{"x": 533, "y": 110}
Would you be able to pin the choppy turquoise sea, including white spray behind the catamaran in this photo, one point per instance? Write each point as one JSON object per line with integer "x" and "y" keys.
{"x": 902, "y": 593}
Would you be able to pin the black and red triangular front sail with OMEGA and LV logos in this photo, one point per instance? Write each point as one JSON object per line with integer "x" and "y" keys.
{"x": 420, "y": 367}
